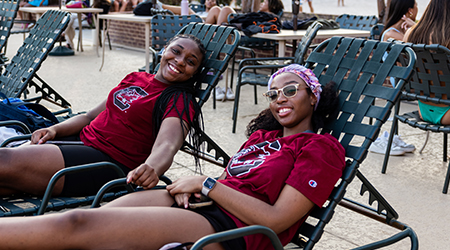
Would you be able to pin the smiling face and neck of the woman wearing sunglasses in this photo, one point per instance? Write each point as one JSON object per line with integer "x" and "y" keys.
{"x": 293, "y": 113}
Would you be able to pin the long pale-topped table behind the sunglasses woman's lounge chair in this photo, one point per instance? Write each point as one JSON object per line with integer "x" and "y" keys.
{"x": 287, "y": 35}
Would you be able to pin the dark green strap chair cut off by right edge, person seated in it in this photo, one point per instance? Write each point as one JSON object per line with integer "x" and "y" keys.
{"x": 426, "y": 84}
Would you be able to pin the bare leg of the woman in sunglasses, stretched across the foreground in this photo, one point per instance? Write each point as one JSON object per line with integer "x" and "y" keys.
{"x": 107, "y": 228}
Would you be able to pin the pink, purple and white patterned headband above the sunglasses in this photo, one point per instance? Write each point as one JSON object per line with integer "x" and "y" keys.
{"x": 306, "y": 74}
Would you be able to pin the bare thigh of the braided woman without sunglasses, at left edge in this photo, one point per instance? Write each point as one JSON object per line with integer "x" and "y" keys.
{"x": 29, "y": 168}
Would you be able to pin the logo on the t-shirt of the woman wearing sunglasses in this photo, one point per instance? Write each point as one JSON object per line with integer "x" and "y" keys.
{"x": 251, "y": 157}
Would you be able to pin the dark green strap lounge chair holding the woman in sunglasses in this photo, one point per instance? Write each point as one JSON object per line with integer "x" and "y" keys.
{"x": 357, "y": 67}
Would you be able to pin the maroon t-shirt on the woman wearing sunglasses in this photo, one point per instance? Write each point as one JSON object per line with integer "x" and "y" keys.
{"x": 311, "y": 163}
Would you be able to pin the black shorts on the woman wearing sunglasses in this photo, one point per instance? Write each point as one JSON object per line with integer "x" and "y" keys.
{"x": 220, "y": 221}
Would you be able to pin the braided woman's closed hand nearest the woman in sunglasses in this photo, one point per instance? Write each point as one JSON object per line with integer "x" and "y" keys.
{"x": 144, "y": 176}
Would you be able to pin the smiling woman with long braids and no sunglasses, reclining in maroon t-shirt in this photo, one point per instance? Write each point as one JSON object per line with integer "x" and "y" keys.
{"x": 140, "y": 127}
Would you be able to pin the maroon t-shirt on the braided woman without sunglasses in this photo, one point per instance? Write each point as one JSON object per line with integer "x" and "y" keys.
{"x": 124, "y": 130}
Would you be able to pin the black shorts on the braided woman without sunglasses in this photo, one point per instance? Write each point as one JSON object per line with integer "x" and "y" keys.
{"x": 87, "y": 182}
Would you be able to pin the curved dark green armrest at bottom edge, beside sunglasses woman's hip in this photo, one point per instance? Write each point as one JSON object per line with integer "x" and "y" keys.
{"x": 237, "y": 233}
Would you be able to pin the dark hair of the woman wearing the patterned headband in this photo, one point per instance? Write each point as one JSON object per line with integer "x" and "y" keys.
{"x": 326, "y": 111}
